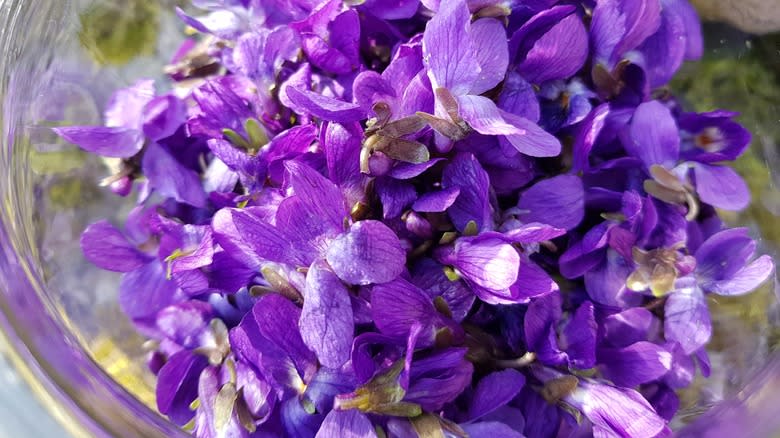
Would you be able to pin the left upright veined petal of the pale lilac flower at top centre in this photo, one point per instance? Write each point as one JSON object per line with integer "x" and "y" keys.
{"x": 448, "y": 50}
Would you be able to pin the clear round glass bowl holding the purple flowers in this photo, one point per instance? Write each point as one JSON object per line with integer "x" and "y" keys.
{"x": 61, "y": 326}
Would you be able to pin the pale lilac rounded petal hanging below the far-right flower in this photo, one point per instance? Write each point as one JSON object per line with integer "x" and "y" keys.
{"x": 687, "y": 319}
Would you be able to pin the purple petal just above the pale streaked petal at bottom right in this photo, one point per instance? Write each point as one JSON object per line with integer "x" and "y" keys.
{"x": 636, "y": 364}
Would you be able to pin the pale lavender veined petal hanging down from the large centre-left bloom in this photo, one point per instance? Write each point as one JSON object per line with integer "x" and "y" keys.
{"x": 326, "y": 319}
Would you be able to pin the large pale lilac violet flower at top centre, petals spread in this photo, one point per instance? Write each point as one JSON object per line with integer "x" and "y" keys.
{"x": 464, "y": 60}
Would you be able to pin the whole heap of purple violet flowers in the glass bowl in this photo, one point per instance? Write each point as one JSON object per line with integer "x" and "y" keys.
{"x": 402, "y": 218}
